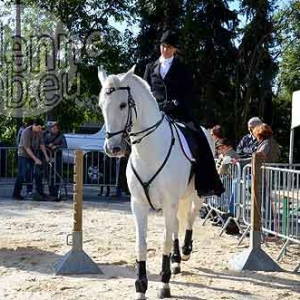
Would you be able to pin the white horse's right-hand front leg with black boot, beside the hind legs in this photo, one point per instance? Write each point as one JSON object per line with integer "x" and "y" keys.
{"x": 170, "y": 215}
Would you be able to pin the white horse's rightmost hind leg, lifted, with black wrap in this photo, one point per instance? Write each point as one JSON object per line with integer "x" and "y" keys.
{"x": 187, "y": 247}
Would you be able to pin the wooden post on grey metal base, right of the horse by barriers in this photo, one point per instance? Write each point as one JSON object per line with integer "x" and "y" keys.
{"x": 254, "y": 258}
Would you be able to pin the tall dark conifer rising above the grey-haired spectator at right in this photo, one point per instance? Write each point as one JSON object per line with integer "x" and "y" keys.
{"x": 257, "y": 66}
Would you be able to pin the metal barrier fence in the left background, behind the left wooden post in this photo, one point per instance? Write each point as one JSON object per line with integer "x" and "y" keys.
{"x": 98, "y": 169}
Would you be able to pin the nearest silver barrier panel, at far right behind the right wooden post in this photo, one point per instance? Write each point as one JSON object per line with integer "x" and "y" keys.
{"x": 280, "y": 202}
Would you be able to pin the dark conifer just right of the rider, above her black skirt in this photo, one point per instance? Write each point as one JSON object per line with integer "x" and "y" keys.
{"x": 209, "y": 32}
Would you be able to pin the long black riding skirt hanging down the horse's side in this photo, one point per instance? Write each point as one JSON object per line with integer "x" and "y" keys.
{"x": 207, "y": 179}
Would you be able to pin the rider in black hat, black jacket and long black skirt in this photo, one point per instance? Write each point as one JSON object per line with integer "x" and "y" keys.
{"x": 173, "y": 87}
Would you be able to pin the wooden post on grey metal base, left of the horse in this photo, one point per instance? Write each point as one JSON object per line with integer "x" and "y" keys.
{"x": 76, "y": 261}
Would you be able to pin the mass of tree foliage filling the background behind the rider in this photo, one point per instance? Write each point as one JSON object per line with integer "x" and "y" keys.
{"x": 234, "y": 63}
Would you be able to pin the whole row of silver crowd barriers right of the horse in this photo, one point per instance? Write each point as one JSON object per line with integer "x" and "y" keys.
{"x": 280, "y": 209}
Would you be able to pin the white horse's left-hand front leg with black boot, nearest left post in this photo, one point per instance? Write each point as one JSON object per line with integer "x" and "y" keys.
{"x": 140, "y": 214}
